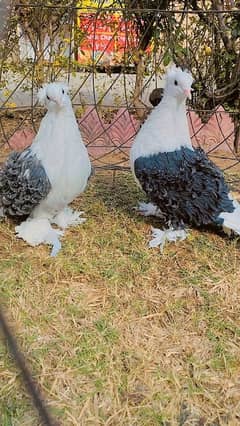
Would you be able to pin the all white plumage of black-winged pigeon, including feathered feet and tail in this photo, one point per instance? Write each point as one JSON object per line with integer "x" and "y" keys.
{"x": 166, "y": 130}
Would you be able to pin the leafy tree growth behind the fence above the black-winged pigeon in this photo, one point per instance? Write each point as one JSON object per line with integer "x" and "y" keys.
{"x": 207, "y": 42}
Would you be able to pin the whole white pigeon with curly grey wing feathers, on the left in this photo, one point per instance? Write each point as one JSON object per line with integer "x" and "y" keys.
{"x": 37, "y": 184}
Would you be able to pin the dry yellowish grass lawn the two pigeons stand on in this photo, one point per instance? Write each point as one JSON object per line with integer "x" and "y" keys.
{"x": 116, "y": 333}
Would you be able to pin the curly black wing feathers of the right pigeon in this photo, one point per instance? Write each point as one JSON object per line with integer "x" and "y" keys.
{"x": 185, "y": 185}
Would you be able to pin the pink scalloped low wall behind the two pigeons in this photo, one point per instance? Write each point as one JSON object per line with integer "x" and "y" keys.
{"x": 116, "y": 136}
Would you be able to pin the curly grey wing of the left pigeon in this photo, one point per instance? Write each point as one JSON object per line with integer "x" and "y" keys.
{"x": 23, "y": 184}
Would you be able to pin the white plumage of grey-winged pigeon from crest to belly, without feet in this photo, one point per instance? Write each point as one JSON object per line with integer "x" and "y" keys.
{"x": 63, "y": 154}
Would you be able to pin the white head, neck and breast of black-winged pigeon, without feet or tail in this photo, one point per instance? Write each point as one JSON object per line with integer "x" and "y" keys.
{"x": 166, "y": 128}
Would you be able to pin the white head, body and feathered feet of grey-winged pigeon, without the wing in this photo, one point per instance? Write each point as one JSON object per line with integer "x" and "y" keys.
{"x": 59, "y": 147}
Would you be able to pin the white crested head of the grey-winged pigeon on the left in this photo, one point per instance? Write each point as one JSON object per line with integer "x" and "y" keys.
{"x": 54, "y": 96}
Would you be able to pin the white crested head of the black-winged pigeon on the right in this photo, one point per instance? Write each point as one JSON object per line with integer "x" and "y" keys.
{"x": 178, "y": 83}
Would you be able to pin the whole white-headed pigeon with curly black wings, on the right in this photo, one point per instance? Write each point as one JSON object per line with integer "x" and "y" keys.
{"x": 183, "y": 186}
